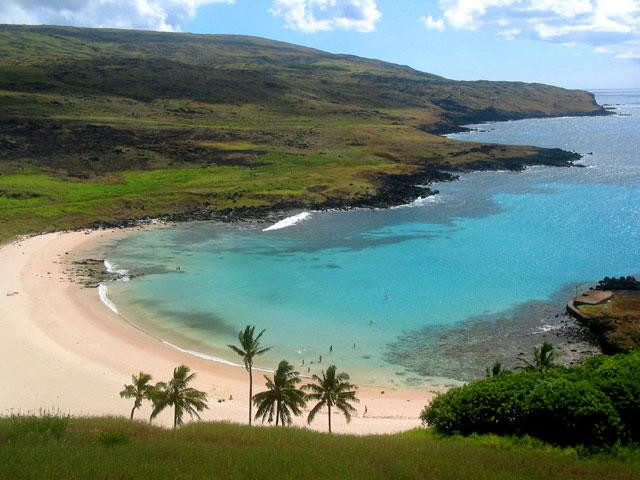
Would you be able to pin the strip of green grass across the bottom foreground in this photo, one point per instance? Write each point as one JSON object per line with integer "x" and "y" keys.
{"x": 116, "y": 448}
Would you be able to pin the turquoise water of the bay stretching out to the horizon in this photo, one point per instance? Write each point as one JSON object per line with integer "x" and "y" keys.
{"x": 433, "y": 290}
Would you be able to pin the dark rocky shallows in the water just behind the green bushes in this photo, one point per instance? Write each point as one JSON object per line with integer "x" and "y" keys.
{"x": 465, "y": 350}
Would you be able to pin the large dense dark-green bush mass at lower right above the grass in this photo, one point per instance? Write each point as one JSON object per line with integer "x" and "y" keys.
{"x": 597, "y": 403}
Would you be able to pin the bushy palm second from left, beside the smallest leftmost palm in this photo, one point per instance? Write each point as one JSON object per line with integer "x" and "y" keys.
{"x": 178, "y": 395}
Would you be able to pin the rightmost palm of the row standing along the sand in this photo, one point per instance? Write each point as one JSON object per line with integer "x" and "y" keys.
{"x": 332, "y": 390}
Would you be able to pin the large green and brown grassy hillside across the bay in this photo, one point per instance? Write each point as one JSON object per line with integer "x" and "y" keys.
{"x": 107, "y": 125}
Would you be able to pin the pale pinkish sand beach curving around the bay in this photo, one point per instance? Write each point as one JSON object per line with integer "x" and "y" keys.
{"x": 64, "y": 350}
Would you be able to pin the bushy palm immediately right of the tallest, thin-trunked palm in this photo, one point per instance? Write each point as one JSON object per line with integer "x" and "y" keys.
{"x": 282, "y": 396}
